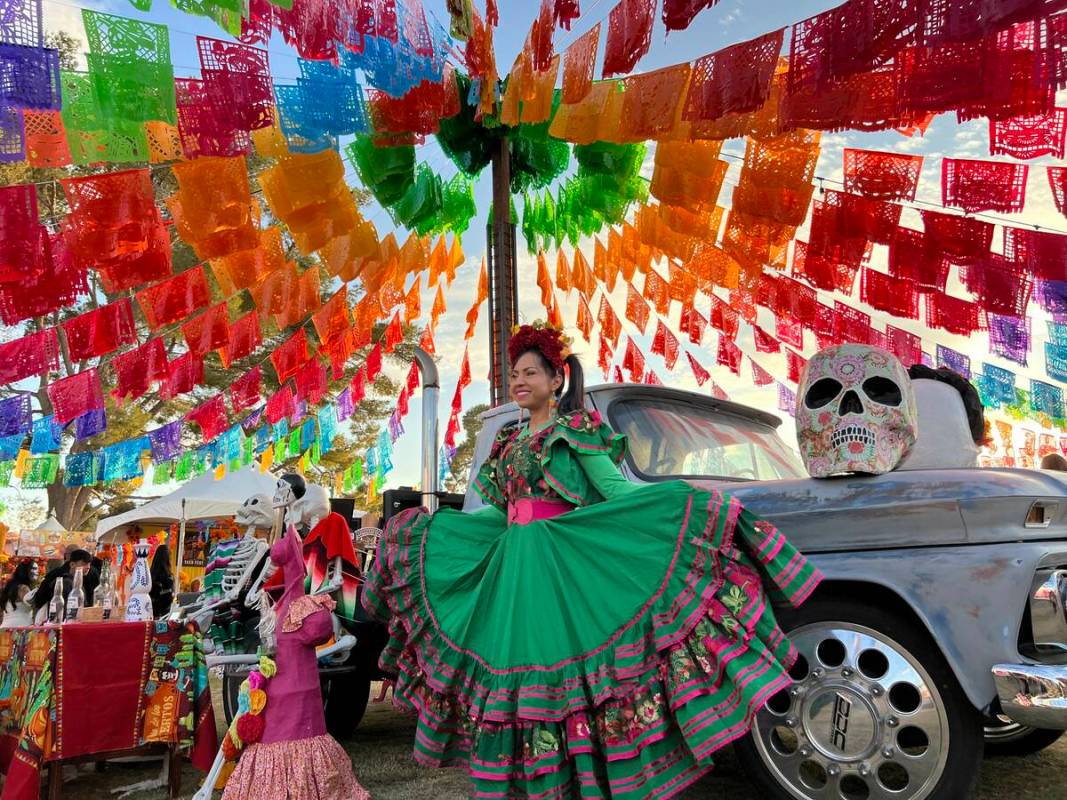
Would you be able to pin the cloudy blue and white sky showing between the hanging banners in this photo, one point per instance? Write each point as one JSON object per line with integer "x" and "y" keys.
{"x": 728, "y": 23}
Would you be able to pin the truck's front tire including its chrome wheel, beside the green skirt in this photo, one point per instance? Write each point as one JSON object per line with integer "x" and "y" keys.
{"x": 874, "y": 713}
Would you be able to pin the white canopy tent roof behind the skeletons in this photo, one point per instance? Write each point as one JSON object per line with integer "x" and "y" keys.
{"x": 201, "y": 499}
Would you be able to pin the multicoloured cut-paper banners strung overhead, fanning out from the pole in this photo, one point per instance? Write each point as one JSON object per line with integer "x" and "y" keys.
{"x": 248, "y": 302}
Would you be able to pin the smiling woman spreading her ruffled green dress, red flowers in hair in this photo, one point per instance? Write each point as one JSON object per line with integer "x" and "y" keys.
{"x": 581, "y": 636}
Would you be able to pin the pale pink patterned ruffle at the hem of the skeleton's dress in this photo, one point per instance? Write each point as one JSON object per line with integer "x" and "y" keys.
{"x": 317, "y": 769}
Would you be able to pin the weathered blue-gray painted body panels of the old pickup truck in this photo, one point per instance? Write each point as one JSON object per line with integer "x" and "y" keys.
{"x": 951, "y": 543}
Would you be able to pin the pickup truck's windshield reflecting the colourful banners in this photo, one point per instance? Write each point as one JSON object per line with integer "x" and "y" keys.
{"x": 670, "y": 440}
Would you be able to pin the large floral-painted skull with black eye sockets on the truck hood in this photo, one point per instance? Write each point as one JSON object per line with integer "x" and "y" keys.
{"x": 856, "y": 412}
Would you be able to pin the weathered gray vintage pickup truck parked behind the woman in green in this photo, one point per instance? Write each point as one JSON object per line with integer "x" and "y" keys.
{"x": 942, "y": 620}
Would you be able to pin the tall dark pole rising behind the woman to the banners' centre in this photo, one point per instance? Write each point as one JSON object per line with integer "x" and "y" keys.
{"x": 503, "y": 302}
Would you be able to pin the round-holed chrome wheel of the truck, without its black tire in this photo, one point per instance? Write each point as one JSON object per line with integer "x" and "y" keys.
{"x": 863, "y": 721}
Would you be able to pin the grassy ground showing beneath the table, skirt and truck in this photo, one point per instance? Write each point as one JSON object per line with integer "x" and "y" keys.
{"x": 381, "y": 757}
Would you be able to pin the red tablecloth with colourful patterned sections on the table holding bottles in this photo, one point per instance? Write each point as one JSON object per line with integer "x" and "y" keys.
{"x": 86, "y": 689}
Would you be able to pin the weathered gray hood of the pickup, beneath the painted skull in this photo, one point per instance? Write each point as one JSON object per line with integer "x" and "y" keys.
{"x": 909, "y": 508}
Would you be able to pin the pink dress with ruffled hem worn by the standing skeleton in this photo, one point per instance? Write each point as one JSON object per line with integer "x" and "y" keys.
{"x": 296, "y": 759}
